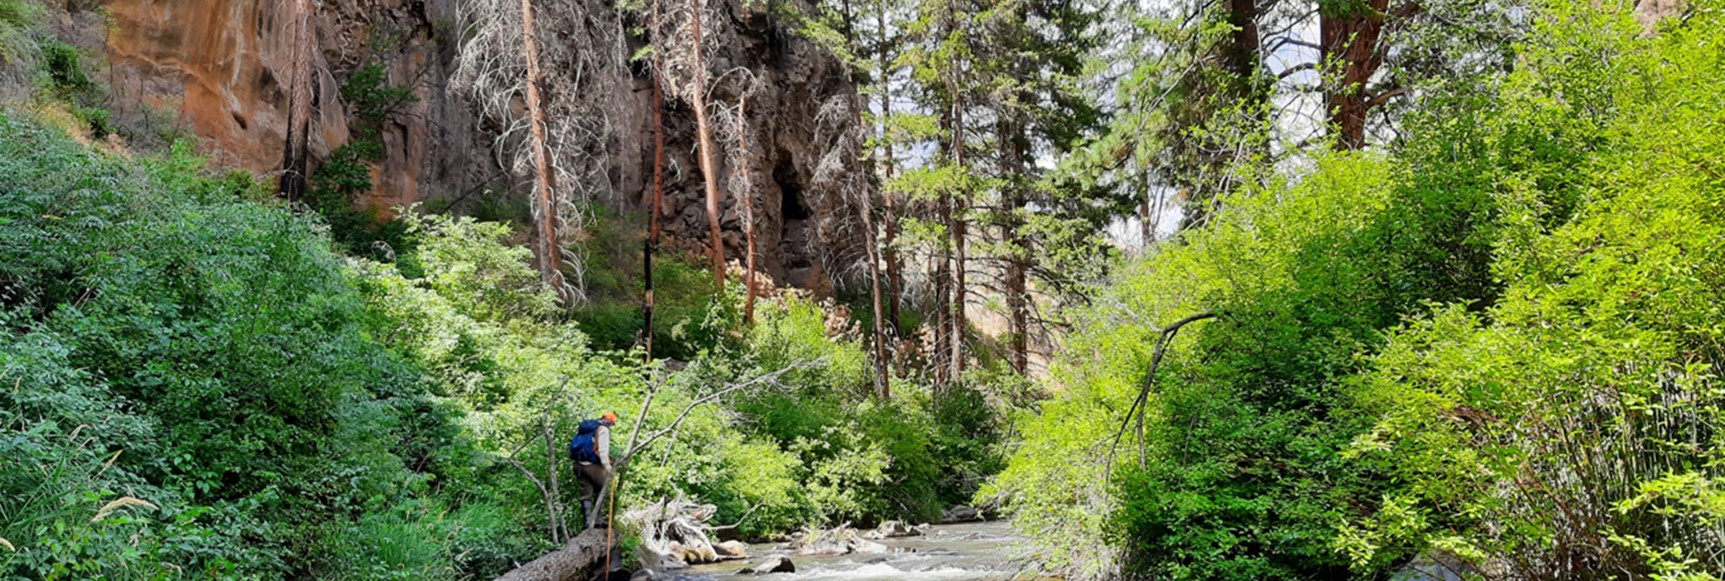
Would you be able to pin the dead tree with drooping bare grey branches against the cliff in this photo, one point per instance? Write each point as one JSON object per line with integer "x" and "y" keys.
{"x": 549, "y": 113}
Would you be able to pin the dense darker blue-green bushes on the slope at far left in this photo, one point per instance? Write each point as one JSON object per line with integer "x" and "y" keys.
{"x": 179, "y": 346}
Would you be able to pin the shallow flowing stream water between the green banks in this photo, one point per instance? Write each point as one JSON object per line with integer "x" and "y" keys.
{"x": 950, "y": 553}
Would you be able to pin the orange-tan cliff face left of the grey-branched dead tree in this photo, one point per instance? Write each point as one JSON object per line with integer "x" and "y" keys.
{"x": 223, "y": 66}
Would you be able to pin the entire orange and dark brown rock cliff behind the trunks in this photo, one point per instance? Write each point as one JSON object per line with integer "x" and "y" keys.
{"x": 222, "y": 66}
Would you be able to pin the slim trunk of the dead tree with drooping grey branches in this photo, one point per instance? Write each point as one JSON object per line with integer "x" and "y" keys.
{"x": 544, "y": 184}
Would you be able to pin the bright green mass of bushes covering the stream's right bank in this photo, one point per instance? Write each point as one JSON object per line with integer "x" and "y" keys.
{"x": 1548, "y": 411}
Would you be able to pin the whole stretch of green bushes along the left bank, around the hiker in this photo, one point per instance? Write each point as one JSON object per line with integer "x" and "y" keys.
{"x": 265, "y": 408}
